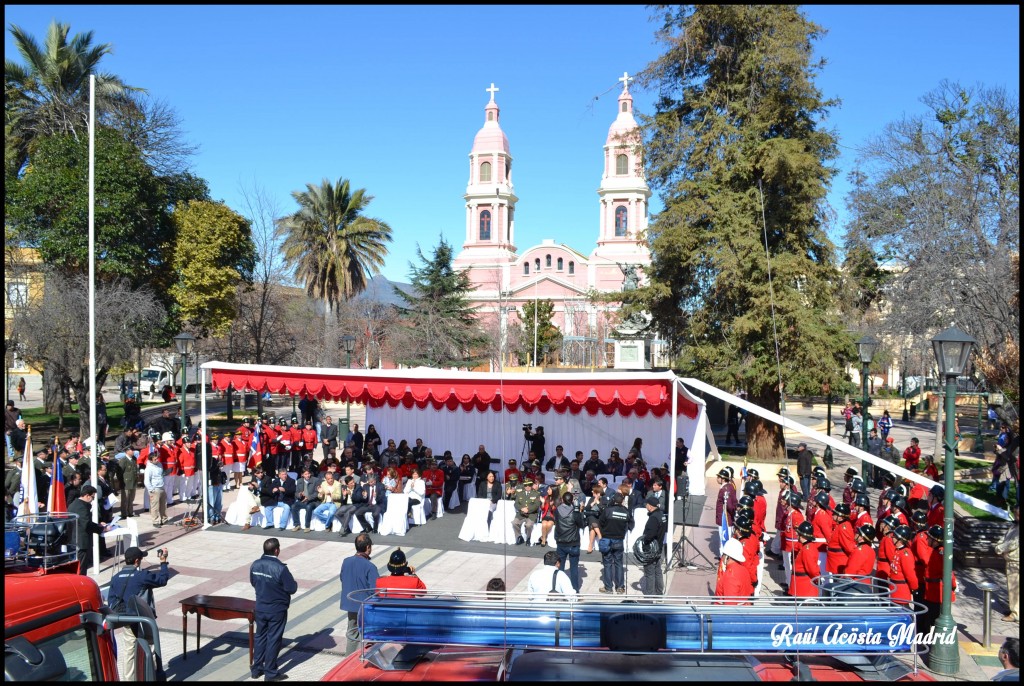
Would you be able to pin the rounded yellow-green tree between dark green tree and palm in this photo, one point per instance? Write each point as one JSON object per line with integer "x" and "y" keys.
{"x": 214, "y": 253}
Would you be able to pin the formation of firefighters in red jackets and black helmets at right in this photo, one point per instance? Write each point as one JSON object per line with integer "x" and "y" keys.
{"x": 903, "y": 546}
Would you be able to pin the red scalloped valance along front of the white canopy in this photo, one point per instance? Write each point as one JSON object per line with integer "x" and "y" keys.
{"x": 588, "y": 395}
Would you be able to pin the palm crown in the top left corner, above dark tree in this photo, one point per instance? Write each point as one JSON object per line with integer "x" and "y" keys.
{"x": 50, "y": 94}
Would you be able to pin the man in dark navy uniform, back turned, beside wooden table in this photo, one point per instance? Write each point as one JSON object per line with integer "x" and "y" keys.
{"x": 275, "y": 588}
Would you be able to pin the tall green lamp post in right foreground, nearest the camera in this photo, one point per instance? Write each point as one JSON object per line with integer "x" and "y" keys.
{"x": 952, "y": 350}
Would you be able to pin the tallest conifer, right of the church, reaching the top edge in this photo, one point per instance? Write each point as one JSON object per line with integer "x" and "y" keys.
{"x": 737, "y": 142}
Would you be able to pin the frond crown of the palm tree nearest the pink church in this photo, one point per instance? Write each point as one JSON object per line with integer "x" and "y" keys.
{"x": 333, "y": 248}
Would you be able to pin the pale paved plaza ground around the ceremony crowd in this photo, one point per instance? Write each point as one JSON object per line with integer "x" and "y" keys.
{"x": 217, "y": 562}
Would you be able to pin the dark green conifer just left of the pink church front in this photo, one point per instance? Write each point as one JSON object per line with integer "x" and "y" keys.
{"x": 442, "y": 329}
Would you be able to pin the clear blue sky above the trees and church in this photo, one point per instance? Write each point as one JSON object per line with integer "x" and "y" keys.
{"x": 392, "y": 97}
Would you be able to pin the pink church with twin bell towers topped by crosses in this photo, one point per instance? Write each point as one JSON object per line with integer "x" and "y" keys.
{"x": 506, "y": 280}
